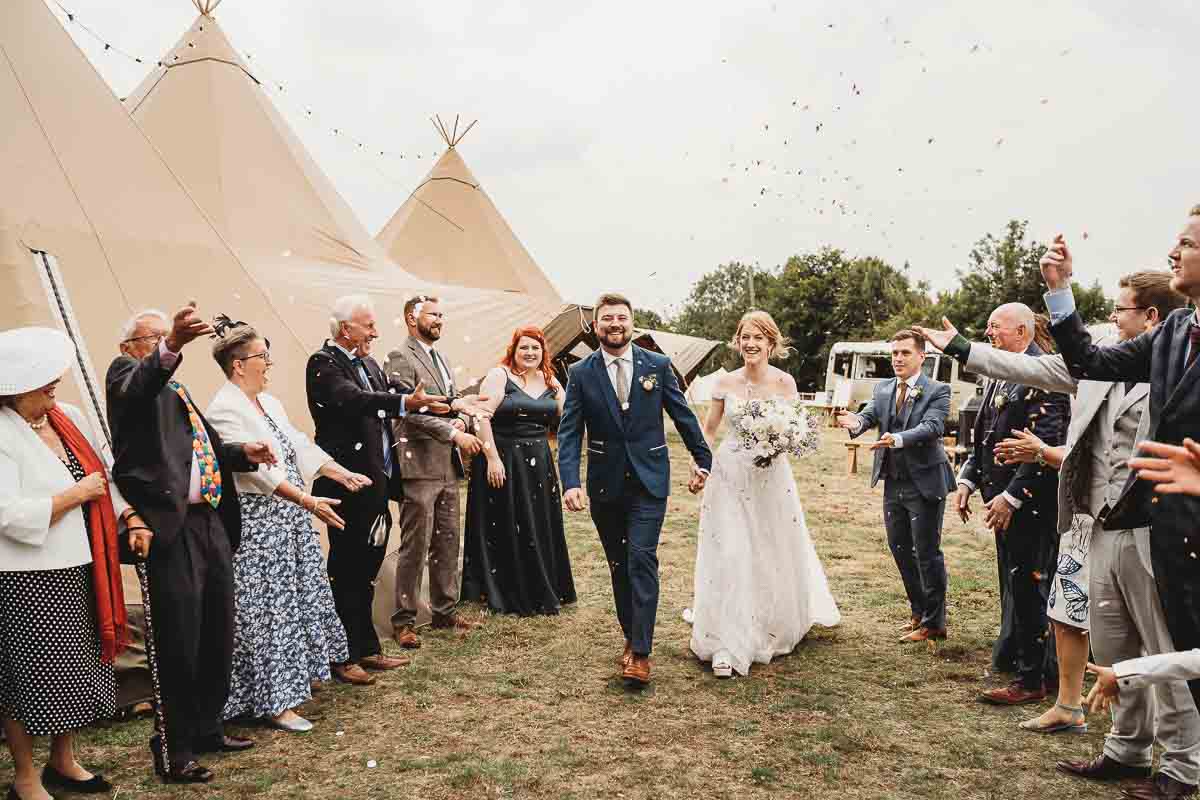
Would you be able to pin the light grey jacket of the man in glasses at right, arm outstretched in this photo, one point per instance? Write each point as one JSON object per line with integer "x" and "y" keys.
{"x": 1051, "y": 372}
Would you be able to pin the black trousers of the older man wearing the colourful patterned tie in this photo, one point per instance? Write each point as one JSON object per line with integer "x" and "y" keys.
{"x": 191, "y": 599}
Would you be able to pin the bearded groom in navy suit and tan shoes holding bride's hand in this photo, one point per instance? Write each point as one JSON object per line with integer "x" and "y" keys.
{"x": 619, "y": 395}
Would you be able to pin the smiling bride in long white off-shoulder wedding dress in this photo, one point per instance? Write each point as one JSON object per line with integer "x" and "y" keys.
{"x": 759, "y": 586}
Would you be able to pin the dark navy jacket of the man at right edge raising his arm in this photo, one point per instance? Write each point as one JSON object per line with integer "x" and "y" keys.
{"x": 1156, "y": 357}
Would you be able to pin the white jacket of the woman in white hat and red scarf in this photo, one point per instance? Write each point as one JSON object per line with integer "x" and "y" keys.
{"x": 31, "y": 477}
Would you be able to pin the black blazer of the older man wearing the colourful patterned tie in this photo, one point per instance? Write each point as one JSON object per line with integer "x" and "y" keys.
{"x": 153, "y": 449}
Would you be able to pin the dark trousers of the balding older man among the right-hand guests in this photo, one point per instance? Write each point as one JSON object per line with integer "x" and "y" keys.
{"x": 1025, "y": 557}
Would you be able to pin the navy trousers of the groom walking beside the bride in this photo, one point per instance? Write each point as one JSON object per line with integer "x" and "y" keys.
{"x": 629, "y": 532}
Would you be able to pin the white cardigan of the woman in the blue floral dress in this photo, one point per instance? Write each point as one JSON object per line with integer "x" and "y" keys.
{"x": 235, "y": 417}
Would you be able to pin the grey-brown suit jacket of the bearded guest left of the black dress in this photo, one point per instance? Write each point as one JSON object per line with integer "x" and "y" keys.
{"x": 424, "y": 444}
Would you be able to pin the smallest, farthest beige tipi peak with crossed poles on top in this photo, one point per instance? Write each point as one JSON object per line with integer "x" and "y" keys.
{"x": 449, "y": 231}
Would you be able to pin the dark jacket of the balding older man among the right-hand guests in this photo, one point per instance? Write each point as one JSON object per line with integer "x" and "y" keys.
{"x": 1048, "y": 416}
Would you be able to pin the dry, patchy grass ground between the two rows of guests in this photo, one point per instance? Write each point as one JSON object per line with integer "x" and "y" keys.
{"x": 532, "y": 708}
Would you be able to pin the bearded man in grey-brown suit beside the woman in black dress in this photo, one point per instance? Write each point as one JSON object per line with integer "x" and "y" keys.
{"x": 431, "y": 466}
